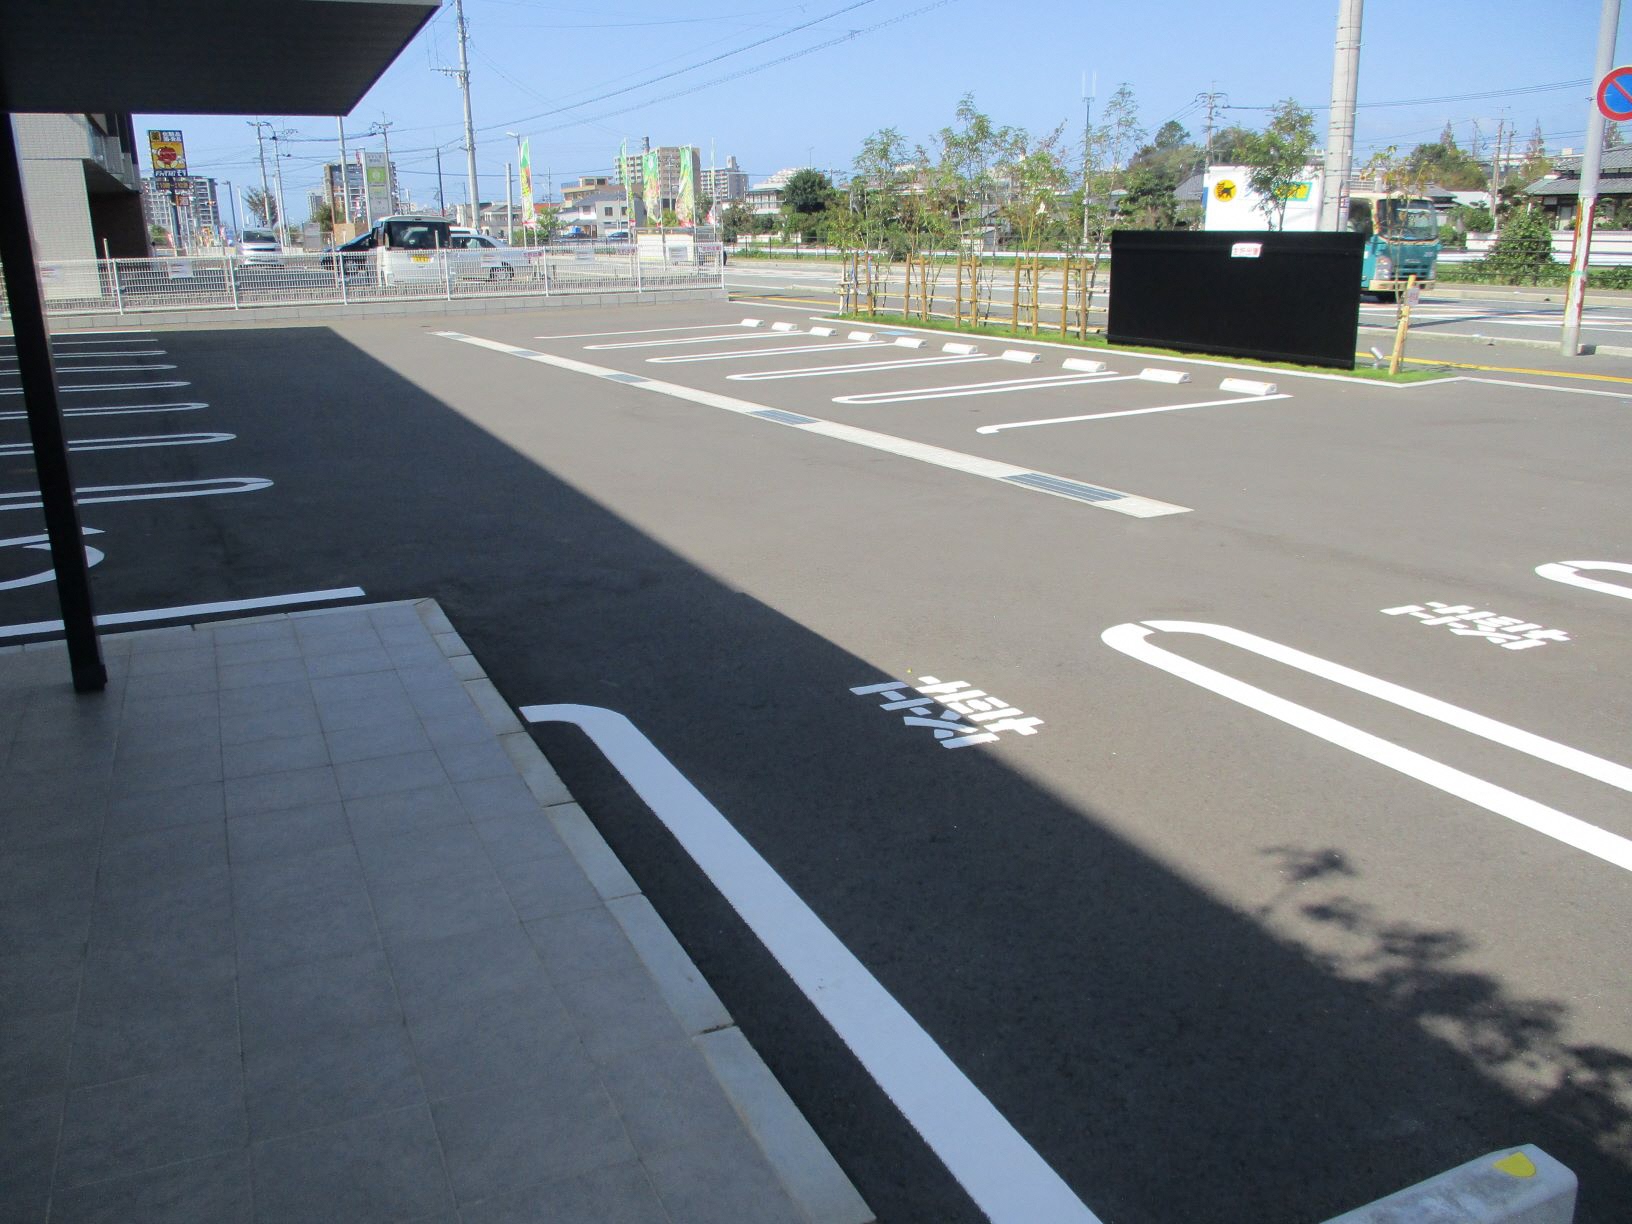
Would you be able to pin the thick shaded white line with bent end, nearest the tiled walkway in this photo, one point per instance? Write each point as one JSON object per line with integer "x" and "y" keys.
{"x": 990, "y": 1160}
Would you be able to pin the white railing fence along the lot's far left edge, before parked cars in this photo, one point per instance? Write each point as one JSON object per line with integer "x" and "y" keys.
{"x": 228, "y": 282}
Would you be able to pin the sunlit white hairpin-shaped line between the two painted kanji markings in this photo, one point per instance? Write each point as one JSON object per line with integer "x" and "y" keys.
{"x": 1132, "y": 639}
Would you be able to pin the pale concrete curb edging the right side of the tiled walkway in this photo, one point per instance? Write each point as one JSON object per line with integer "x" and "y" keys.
{"x": 796, "y": 1153}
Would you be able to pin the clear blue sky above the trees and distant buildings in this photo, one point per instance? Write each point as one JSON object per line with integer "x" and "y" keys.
{"x": 536, "y": 66}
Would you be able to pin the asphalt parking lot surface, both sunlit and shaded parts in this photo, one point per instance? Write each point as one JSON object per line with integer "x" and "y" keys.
{"x": 1274, "y": 890}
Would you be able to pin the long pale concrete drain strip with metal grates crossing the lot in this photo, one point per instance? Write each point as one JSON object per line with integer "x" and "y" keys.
{"x": 975, "y": 466}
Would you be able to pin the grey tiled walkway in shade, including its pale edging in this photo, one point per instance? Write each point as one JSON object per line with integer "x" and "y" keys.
{"x": 296, "y": 925}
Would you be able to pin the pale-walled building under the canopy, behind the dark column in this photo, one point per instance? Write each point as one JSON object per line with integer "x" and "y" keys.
{"x": 82, "y": 185}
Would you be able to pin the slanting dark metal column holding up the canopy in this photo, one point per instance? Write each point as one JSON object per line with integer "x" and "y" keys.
{"x": 45, "y": 419}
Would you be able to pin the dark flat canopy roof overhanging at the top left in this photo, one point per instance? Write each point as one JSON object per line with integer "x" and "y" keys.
{"x": 200, "y": 56}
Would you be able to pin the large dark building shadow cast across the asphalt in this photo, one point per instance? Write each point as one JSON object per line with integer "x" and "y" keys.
{"x": 1171, "y": 1057}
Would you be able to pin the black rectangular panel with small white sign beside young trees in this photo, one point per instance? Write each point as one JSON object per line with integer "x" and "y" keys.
{"x": 1238, "y": 293}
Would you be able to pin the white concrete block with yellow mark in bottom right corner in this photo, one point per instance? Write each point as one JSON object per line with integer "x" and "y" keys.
{"x": 1517, "y": 1186}
